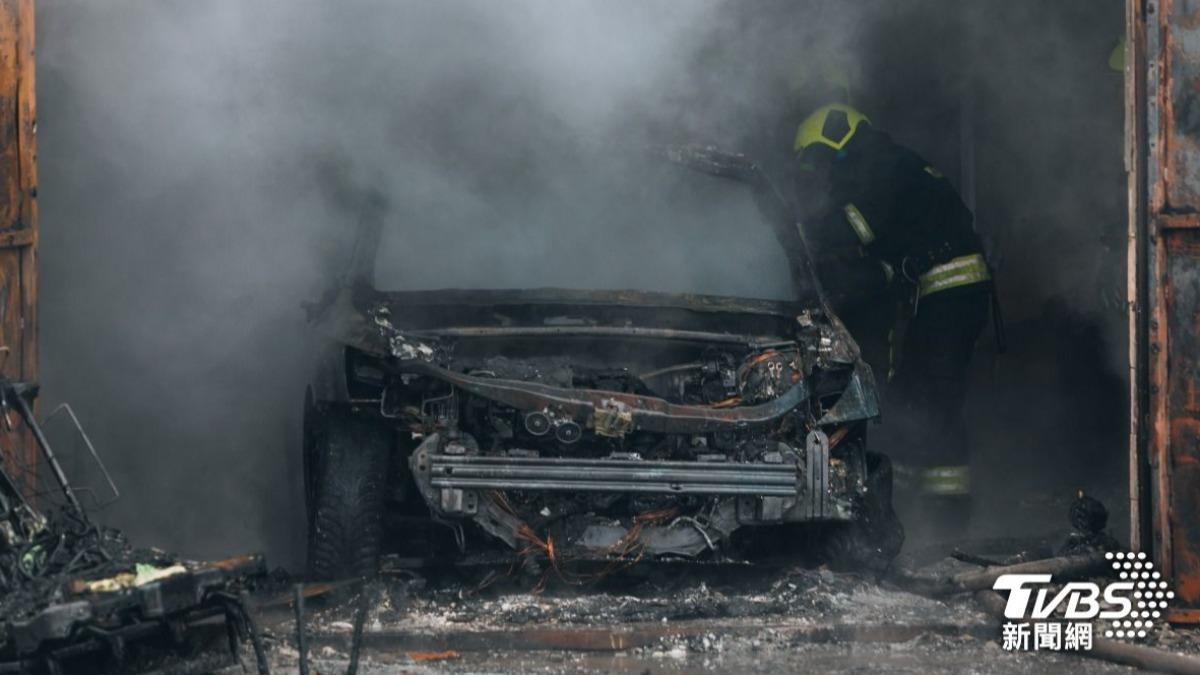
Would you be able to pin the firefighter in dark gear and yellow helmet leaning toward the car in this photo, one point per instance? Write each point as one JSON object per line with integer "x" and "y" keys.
{"x": 893, "y": 240}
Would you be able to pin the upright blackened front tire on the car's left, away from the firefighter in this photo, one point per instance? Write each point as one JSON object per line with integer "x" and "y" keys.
{"x": 347, "y": 486}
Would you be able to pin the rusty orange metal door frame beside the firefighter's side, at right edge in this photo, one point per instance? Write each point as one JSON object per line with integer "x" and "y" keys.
{"x": 1163, "y": 160}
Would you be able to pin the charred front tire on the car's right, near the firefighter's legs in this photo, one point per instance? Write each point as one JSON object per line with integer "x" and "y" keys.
{"x": 874, "y": 541}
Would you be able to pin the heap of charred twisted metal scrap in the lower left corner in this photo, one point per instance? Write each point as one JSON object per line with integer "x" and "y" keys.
{"x": 77, "y": 598}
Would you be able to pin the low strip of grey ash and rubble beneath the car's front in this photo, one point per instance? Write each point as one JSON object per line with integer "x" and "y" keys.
{"x": 793, "y": 593}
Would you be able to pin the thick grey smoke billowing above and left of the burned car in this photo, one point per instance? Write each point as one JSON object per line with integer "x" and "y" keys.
{"x": 205, "y": 164}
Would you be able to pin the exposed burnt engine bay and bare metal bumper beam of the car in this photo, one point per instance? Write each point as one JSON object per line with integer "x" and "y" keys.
{"x": 587, "y": 446}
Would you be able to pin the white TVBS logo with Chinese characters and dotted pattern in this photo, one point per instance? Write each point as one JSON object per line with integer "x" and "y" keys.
{"x": 1126, "y": 608}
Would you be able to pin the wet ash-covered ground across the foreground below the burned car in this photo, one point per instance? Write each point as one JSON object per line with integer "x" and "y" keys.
{"x": 730, "y": 619}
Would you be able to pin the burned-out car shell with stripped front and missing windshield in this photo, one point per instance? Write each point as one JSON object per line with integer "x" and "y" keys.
{"x": 557, "y": 425}
